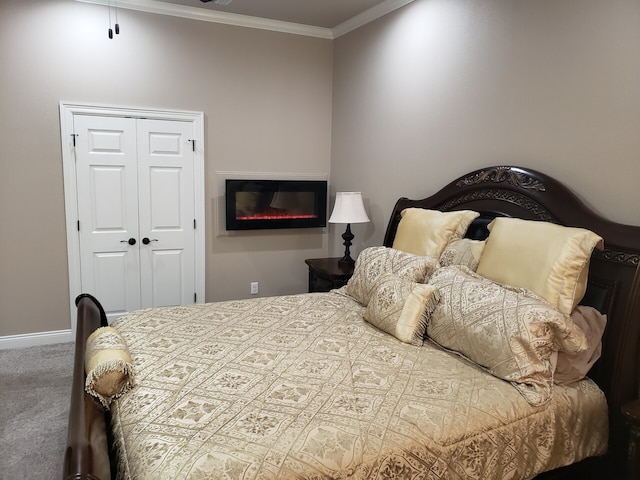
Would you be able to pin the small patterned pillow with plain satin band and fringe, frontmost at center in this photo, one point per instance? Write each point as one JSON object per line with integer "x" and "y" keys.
{"x": 401, "y": 307}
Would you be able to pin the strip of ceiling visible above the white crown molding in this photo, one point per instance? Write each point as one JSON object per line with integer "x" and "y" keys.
{"x": 317, "y": 13}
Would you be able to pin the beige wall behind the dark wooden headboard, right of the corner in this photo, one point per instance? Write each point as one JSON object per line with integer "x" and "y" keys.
{"x": 441, "y": 87}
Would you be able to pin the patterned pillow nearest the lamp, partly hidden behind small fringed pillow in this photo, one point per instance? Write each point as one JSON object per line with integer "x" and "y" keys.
{"x": 374, "y": 261}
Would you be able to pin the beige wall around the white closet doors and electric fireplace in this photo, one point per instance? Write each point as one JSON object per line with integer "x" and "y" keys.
{"x": 267, "y": 103}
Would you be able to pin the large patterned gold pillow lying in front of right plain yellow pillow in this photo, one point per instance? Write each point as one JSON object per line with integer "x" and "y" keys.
{"x": 511, "y": 332}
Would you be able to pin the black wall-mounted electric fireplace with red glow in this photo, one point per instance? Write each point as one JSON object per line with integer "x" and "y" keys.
{"x": 262, "y": 204}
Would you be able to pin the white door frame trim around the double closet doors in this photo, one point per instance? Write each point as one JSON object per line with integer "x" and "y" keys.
{"x": 67, "y": 113}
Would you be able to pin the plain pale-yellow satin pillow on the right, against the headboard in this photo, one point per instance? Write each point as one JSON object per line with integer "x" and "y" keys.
{"x": 552, "y": 260}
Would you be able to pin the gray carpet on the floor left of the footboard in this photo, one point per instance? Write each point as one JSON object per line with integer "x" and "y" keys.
{"x": 35, "y": 387}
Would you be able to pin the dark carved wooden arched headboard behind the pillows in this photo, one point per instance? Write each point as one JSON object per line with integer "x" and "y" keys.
{"x": 614, "y": 274}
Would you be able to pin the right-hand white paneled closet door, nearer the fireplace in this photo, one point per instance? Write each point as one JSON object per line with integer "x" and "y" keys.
{"x": 167, "y": 212}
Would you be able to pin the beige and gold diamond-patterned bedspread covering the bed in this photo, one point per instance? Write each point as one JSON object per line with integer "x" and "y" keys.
{"x": 301, "y": 387}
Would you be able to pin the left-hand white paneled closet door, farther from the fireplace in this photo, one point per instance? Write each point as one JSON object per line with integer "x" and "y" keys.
{"x": 107, "y": 176}
